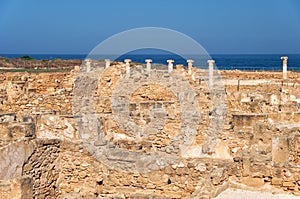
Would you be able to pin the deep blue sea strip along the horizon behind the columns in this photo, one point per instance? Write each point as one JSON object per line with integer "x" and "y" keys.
{"x": 250, "y": 62}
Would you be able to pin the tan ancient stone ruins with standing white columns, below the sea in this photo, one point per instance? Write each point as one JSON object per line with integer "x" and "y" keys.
{"x": 143, "y": 130}
